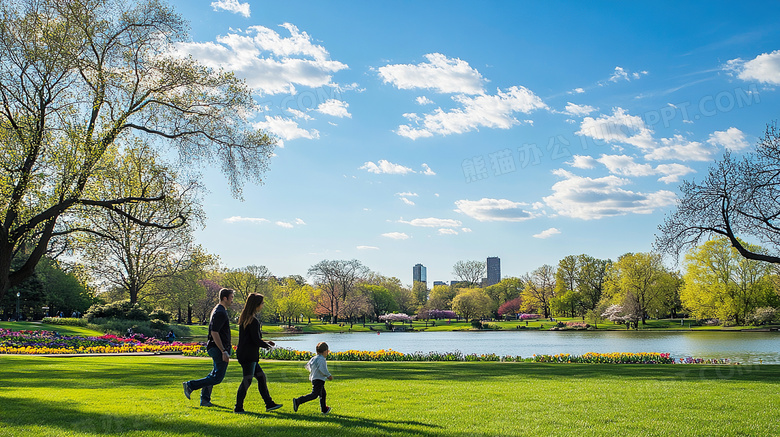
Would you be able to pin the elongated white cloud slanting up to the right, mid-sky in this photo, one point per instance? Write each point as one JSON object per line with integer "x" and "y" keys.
{"x": 492, "y": 111}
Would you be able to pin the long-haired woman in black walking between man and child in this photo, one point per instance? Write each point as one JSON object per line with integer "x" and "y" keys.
{"x": 248, "y": 353}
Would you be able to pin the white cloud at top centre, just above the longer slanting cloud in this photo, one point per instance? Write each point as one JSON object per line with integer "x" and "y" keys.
{"x": 440, "y": 73}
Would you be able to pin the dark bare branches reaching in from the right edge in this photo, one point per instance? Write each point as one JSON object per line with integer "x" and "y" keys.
{"x": 739, "y": 199}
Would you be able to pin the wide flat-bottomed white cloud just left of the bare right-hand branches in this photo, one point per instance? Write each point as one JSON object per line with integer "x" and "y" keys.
{"x": 586, "y": 198}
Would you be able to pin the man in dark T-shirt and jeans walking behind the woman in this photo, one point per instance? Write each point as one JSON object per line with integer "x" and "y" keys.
{"x": 218, "y": 348}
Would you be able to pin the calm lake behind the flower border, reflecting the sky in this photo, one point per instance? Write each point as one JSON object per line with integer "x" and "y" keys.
{"x": 743, "y": 347}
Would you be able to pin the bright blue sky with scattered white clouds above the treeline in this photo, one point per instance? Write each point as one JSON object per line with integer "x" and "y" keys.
{"x": 438, "y": 131}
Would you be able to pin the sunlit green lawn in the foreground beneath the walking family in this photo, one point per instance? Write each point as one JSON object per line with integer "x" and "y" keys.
{"x": 142, "y": 396}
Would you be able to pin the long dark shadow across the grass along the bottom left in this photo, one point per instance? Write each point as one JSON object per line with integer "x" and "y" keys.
{"x": 69, "y": 419}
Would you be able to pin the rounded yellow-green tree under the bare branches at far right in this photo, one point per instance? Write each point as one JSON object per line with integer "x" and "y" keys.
{"x": 720, "y": 283}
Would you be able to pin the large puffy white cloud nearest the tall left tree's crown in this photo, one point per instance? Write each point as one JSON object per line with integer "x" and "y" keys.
{"x": 270, "y": 63}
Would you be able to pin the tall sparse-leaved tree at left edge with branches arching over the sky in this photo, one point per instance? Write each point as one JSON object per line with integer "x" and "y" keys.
{"x": 81, "y": 78}
